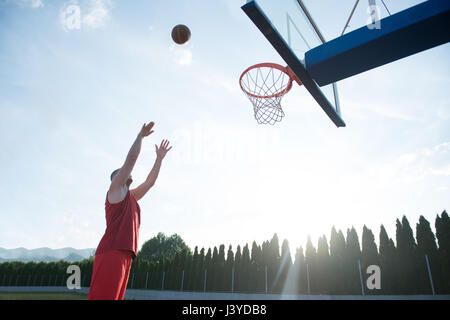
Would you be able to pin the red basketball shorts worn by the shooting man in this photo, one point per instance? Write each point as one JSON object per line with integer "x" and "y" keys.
{"x": 110, "y": 275}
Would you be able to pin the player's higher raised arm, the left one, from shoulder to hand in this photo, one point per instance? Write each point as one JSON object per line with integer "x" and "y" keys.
{"x": 121, "y": 177}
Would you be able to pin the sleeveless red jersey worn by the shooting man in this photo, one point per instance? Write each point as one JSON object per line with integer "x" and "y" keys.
{"x": 123, "y": 220}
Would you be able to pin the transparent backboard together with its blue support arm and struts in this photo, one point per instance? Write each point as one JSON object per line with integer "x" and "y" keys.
{"x": 318, "y": 64}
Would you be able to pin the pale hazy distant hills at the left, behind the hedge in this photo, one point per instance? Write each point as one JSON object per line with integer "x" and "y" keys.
{"x": 45, "y": 254}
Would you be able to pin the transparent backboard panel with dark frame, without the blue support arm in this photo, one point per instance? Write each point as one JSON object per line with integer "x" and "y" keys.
{"x": 291, "y": 30}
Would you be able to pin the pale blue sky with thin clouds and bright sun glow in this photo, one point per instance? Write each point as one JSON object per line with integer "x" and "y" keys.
{"x": 75, "y": 93}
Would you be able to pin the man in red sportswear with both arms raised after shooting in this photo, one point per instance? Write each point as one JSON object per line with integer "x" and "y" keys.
{"x": 118, "y": 246}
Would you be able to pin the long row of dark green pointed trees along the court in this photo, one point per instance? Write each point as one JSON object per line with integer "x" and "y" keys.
{"x": 329, "y": 268}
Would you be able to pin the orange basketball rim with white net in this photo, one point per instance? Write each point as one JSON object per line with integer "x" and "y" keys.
{"x": 265, "y": 84}
